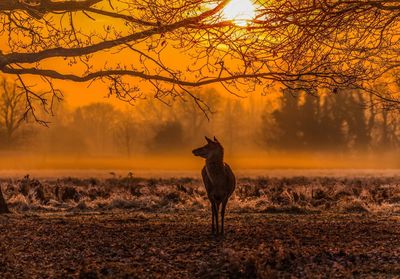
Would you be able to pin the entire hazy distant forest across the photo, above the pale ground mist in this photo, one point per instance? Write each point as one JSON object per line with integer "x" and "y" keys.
{"x": 340, "y": 121}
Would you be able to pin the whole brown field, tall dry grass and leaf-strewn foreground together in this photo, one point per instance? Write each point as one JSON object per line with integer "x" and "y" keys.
{"x": 315, "y": 225}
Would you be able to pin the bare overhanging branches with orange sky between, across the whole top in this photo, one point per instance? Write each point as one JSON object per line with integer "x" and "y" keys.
{"x": 302, "y": 44}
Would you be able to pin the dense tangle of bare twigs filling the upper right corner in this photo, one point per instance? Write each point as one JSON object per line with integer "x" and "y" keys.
{"x": 355, "y": 40}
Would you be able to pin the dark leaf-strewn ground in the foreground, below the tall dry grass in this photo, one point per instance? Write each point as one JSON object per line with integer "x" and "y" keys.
{"x": 149, "y": 245}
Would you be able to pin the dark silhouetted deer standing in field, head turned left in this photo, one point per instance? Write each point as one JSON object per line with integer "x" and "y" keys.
{"x": 218, "y": 179}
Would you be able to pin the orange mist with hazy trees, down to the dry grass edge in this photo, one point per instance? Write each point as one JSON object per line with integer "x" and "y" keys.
{"x": 285, "y": 129}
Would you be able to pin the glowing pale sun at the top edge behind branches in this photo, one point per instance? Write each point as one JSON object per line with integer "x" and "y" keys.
{"x": 239, "y": 11}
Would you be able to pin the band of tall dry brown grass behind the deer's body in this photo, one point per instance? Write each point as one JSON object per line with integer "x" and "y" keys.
{"x": 296, "y": 195}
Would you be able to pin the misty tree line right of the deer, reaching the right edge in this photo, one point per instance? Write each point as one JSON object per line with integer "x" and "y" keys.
{"x": 332, "y": 121}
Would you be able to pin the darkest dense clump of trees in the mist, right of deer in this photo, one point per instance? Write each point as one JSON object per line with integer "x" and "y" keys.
{"x": 307, "y": 121}
